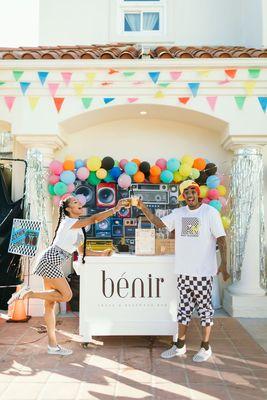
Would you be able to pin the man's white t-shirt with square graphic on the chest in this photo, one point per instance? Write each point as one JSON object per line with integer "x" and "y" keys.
{"x": 196, "y": 232}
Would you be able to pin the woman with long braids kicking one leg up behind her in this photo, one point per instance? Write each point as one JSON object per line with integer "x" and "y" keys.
{"x": 66, "y": 240}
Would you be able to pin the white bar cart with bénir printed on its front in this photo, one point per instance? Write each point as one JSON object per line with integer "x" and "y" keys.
{"x": 127, "y": 295}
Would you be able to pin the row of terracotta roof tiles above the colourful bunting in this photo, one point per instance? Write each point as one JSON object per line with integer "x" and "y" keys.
{"x": 128, "y": 51}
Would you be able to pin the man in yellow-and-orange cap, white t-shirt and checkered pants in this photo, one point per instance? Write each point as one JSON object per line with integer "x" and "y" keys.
{"x": 197, "y": 229}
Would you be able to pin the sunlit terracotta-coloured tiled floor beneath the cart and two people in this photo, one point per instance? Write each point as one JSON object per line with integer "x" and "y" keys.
{"x": 129, "y": 367}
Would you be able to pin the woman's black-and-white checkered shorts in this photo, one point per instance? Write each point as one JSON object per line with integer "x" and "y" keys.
{"x": 50, "y": 263}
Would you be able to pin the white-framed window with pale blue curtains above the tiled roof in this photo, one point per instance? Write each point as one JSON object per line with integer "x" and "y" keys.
{"x": 142, "y": 16}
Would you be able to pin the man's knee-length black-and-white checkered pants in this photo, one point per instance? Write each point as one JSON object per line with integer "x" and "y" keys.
{"x": 195, "y": 292}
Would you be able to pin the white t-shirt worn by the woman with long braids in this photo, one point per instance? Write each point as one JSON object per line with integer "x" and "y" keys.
{"x": 66, "y": 238}
